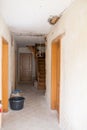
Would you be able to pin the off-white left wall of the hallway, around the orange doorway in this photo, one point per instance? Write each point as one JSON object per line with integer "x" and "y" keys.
{"x": 4, "y": 32}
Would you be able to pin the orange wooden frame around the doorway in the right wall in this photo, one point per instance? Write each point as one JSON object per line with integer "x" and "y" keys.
{"x": 54, "y": 74}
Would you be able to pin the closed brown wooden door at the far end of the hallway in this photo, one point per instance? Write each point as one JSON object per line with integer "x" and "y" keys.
{"x": 25, "y": 67}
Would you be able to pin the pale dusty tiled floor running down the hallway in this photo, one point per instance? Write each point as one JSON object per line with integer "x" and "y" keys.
{"x": 36, "y": 114}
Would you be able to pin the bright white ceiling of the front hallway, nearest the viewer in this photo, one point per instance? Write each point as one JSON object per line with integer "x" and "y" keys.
{"x": 31, "y": 15}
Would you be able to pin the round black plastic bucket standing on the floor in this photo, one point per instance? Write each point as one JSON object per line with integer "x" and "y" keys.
{"x": 16, "y": 103}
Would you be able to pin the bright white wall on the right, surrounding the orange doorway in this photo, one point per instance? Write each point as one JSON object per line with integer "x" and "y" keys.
{"x": 73, "y": 66}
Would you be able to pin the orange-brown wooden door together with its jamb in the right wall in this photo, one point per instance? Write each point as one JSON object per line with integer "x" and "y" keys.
{"x": 55, "y": 96}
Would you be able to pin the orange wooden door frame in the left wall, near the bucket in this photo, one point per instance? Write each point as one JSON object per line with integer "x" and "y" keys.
{"x": 5, "y": 75}
